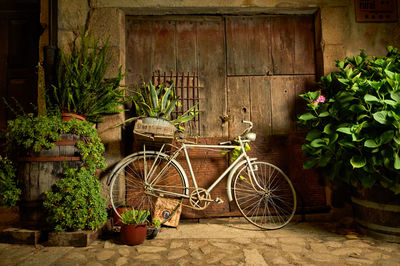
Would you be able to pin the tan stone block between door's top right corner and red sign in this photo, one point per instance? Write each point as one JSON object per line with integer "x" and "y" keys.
{"x": 335, "y": 24}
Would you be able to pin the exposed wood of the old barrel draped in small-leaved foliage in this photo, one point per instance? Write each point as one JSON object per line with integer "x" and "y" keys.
{"x": 38, "y": 173}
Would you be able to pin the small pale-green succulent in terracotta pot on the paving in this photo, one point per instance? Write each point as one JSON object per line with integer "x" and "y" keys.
{"x": 134, "y": 226}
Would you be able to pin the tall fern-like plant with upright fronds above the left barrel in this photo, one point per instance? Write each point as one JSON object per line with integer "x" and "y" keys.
{"x": 82, "y": 91}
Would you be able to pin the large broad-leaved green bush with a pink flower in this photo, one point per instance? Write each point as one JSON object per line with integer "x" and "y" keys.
{"x": 354, "y": 134}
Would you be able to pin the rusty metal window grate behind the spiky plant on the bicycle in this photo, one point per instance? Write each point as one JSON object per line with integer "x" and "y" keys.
{"x": 187, "y": 89}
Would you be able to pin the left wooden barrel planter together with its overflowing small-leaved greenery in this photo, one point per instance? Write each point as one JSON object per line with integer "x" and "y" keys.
{"x": 60, "y": 150}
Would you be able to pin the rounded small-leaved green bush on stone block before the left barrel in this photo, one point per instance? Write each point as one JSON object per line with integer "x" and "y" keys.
{"x": 76, "y": 203}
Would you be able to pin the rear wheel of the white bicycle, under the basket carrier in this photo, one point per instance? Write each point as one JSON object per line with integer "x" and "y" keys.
{"x": 143, "y": 178}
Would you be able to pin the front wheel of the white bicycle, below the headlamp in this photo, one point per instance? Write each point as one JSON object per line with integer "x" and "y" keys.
{"x": 268, "y": 200}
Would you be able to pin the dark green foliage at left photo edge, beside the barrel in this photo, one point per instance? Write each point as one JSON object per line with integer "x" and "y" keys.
{"x": 9, "y": 190}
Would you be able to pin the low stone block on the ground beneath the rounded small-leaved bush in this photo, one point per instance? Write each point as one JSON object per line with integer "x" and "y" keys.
{"x": 74, "y": 239}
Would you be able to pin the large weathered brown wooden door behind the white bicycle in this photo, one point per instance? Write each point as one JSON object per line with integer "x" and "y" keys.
{"x": 249, "y": 67}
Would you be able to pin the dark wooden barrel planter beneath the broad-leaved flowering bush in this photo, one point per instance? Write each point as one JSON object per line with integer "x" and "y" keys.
{"x": 377, "y": 213}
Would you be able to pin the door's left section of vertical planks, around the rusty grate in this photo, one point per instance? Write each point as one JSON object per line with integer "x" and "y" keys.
{"x": 172, "y": 45}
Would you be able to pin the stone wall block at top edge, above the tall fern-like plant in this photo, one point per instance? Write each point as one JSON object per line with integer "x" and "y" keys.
{"x": 72, "y": 14}
